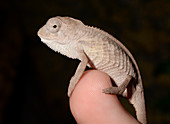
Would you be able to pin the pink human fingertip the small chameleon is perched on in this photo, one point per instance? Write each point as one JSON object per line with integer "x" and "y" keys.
{"x": 89, "y": 105}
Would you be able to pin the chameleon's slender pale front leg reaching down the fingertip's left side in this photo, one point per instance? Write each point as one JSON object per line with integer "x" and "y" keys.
{"x": 79, "y": 72}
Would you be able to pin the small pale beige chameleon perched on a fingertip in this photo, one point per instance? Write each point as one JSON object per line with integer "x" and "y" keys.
{"x": 98, "y": 50}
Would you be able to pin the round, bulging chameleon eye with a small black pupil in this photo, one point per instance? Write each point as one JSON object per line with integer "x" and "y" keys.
{"x": 53, "y": 25}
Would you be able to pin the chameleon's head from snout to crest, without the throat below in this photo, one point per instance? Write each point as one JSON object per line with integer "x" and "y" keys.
{"x": 61, "y": 30}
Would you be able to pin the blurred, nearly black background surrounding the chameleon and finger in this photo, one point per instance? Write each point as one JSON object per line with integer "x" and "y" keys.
{"x": 34, "y": 79}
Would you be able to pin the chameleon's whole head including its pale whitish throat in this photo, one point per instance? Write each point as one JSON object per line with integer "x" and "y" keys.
{"x": 61, "y": 34}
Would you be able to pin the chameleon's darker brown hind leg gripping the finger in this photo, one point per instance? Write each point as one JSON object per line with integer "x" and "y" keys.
{"x": 120, "y": 89}
